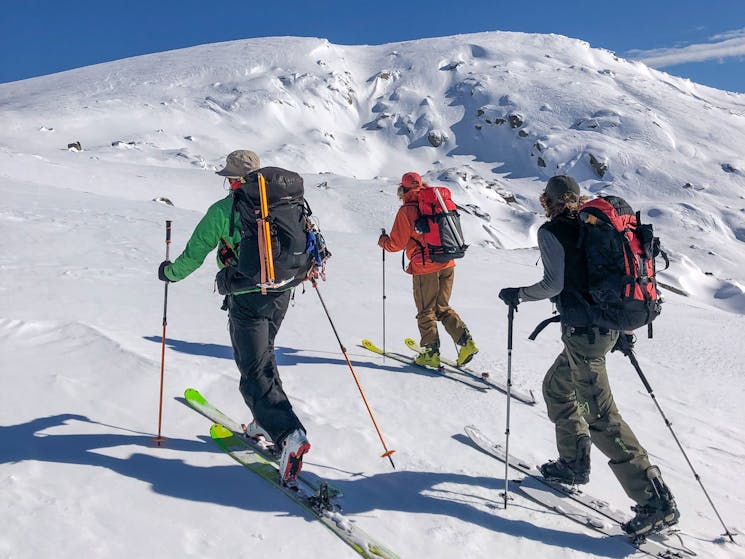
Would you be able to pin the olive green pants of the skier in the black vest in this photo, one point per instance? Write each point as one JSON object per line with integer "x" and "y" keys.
{"x": 580, "y": 402}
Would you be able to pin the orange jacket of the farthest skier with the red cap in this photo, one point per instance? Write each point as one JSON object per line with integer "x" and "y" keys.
{"x": 403, "y": 236}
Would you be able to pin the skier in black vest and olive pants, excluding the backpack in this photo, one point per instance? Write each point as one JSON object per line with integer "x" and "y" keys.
{"x": 576, "y": 388}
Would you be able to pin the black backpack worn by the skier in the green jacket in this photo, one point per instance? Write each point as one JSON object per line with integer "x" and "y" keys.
{"x": 296, "y": 243}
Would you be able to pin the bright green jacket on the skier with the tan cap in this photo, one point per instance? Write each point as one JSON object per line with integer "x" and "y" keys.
{"x": 206, "y": 237}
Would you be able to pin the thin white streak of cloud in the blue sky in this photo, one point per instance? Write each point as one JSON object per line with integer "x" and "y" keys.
{"x": 725, "y": 45}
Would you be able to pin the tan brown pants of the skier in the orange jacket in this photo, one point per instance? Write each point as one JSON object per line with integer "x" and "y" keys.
{"x": 432, "y": 300}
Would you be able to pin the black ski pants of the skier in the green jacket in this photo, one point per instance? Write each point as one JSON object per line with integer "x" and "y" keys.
{"x": 254, "y": 321}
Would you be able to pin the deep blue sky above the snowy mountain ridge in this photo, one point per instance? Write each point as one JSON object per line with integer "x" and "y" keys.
{"x": 703, "y": 41}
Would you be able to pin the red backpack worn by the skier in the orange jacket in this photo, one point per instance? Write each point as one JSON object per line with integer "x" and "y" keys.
{"x": 439, "y": 222}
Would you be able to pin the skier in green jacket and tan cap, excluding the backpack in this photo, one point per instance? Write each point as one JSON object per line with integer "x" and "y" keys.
{"x": 254, "y": 320}
